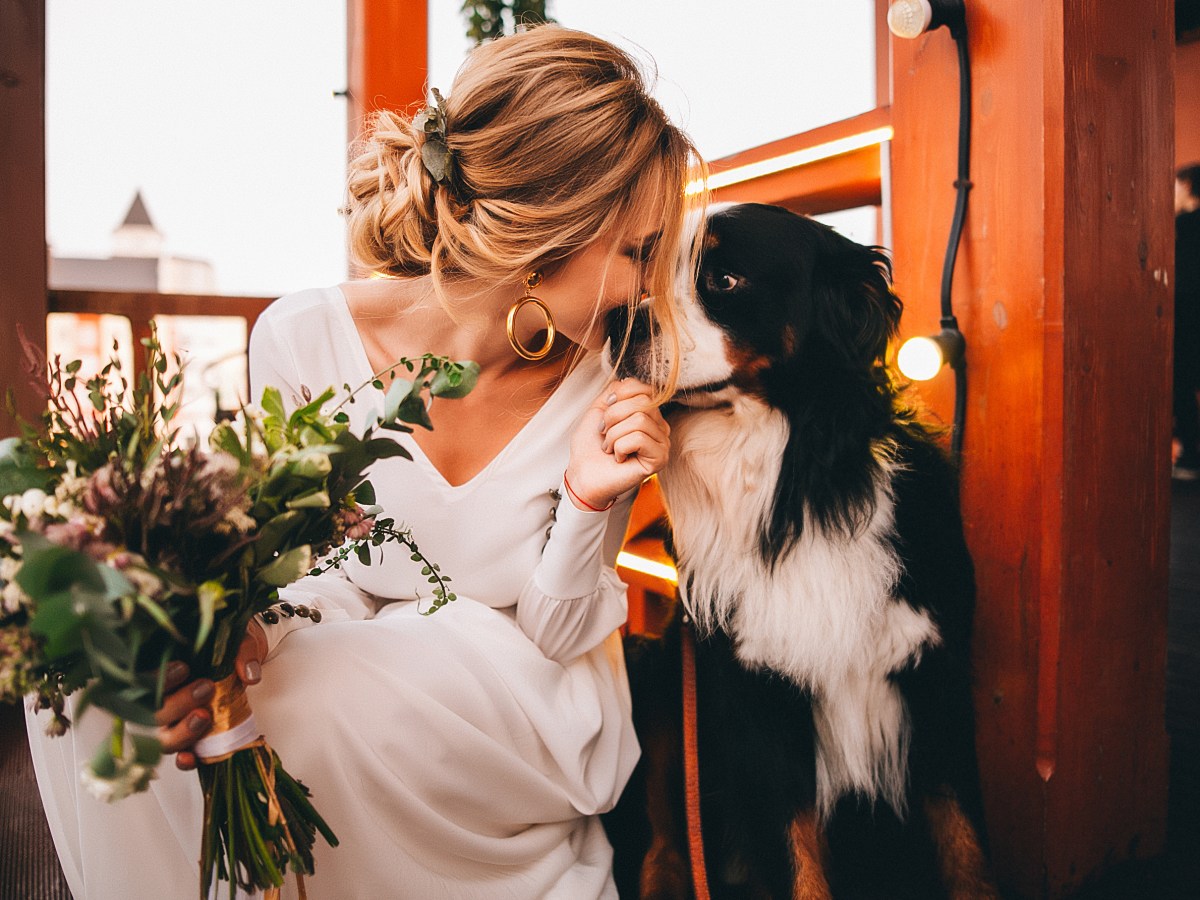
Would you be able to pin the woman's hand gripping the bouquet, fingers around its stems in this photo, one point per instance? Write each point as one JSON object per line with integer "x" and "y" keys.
{"x": 185, "y": 717}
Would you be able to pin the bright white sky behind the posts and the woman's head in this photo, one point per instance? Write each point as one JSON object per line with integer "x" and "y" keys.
{"x": 223, "y": 113}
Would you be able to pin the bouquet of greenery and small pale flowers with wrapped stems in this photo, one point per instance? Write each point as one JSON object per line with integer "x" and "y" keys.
{"x": 125, "y": 548}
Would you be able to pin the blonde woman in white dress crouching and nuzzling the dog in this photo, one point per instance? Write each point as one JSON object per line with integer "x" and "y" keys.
{"x": 470, "y": 753}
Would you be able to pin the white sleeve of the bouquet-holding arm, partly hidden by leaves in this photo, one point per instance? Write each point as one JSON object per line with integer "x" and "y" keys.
{"x": 273, "y": 364}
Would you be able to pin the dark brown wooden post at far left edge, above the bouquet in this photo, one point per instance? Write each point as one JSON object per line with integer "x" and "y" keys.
{"x": 23, "y": 200}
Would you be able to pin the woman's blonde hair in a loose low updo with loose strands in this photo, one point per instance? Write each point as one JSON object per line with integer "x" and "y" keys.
{"x": 556, "y": 142}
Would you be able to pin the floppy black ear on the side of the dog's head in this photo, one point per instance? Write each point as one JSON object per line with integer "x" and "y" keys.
{"x": 853, "y": 298}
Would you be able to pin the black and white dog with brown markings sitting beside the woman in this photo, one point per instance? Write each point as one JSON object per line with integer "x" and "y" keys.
{"x": 819, "y": 539}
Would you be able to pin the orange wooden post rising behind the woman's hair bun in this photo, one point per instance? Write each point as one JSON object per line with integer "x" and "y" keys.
{"x": 387, "y": 57}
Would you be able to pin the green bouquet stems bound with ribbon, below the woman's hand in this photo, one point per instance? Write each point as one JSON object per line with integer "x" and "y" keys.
{"x": 259, "y": 820}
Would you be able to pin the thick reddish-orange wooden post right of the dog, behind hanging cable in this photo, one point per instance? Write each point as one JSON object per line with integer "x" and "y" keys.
{"x": 1064, "y": 295}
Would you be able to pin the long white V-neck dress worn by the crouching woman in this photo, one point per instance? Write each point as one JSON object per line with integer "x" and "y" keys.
{"x": 466, "y": 754}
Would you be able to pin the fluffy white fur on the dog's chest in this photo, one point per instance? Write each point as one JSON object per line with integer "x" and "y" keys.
{"x": 827, "y": 616}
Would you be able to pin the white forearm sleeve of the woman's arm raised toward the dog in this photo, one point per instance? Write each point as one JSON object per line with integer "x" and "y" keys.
{"x": 574, "y": 601}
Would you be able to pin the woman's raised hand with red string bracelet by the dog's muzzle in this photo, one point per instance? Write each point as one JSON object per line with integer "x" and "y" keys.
{"x": 622, "y": 441}
